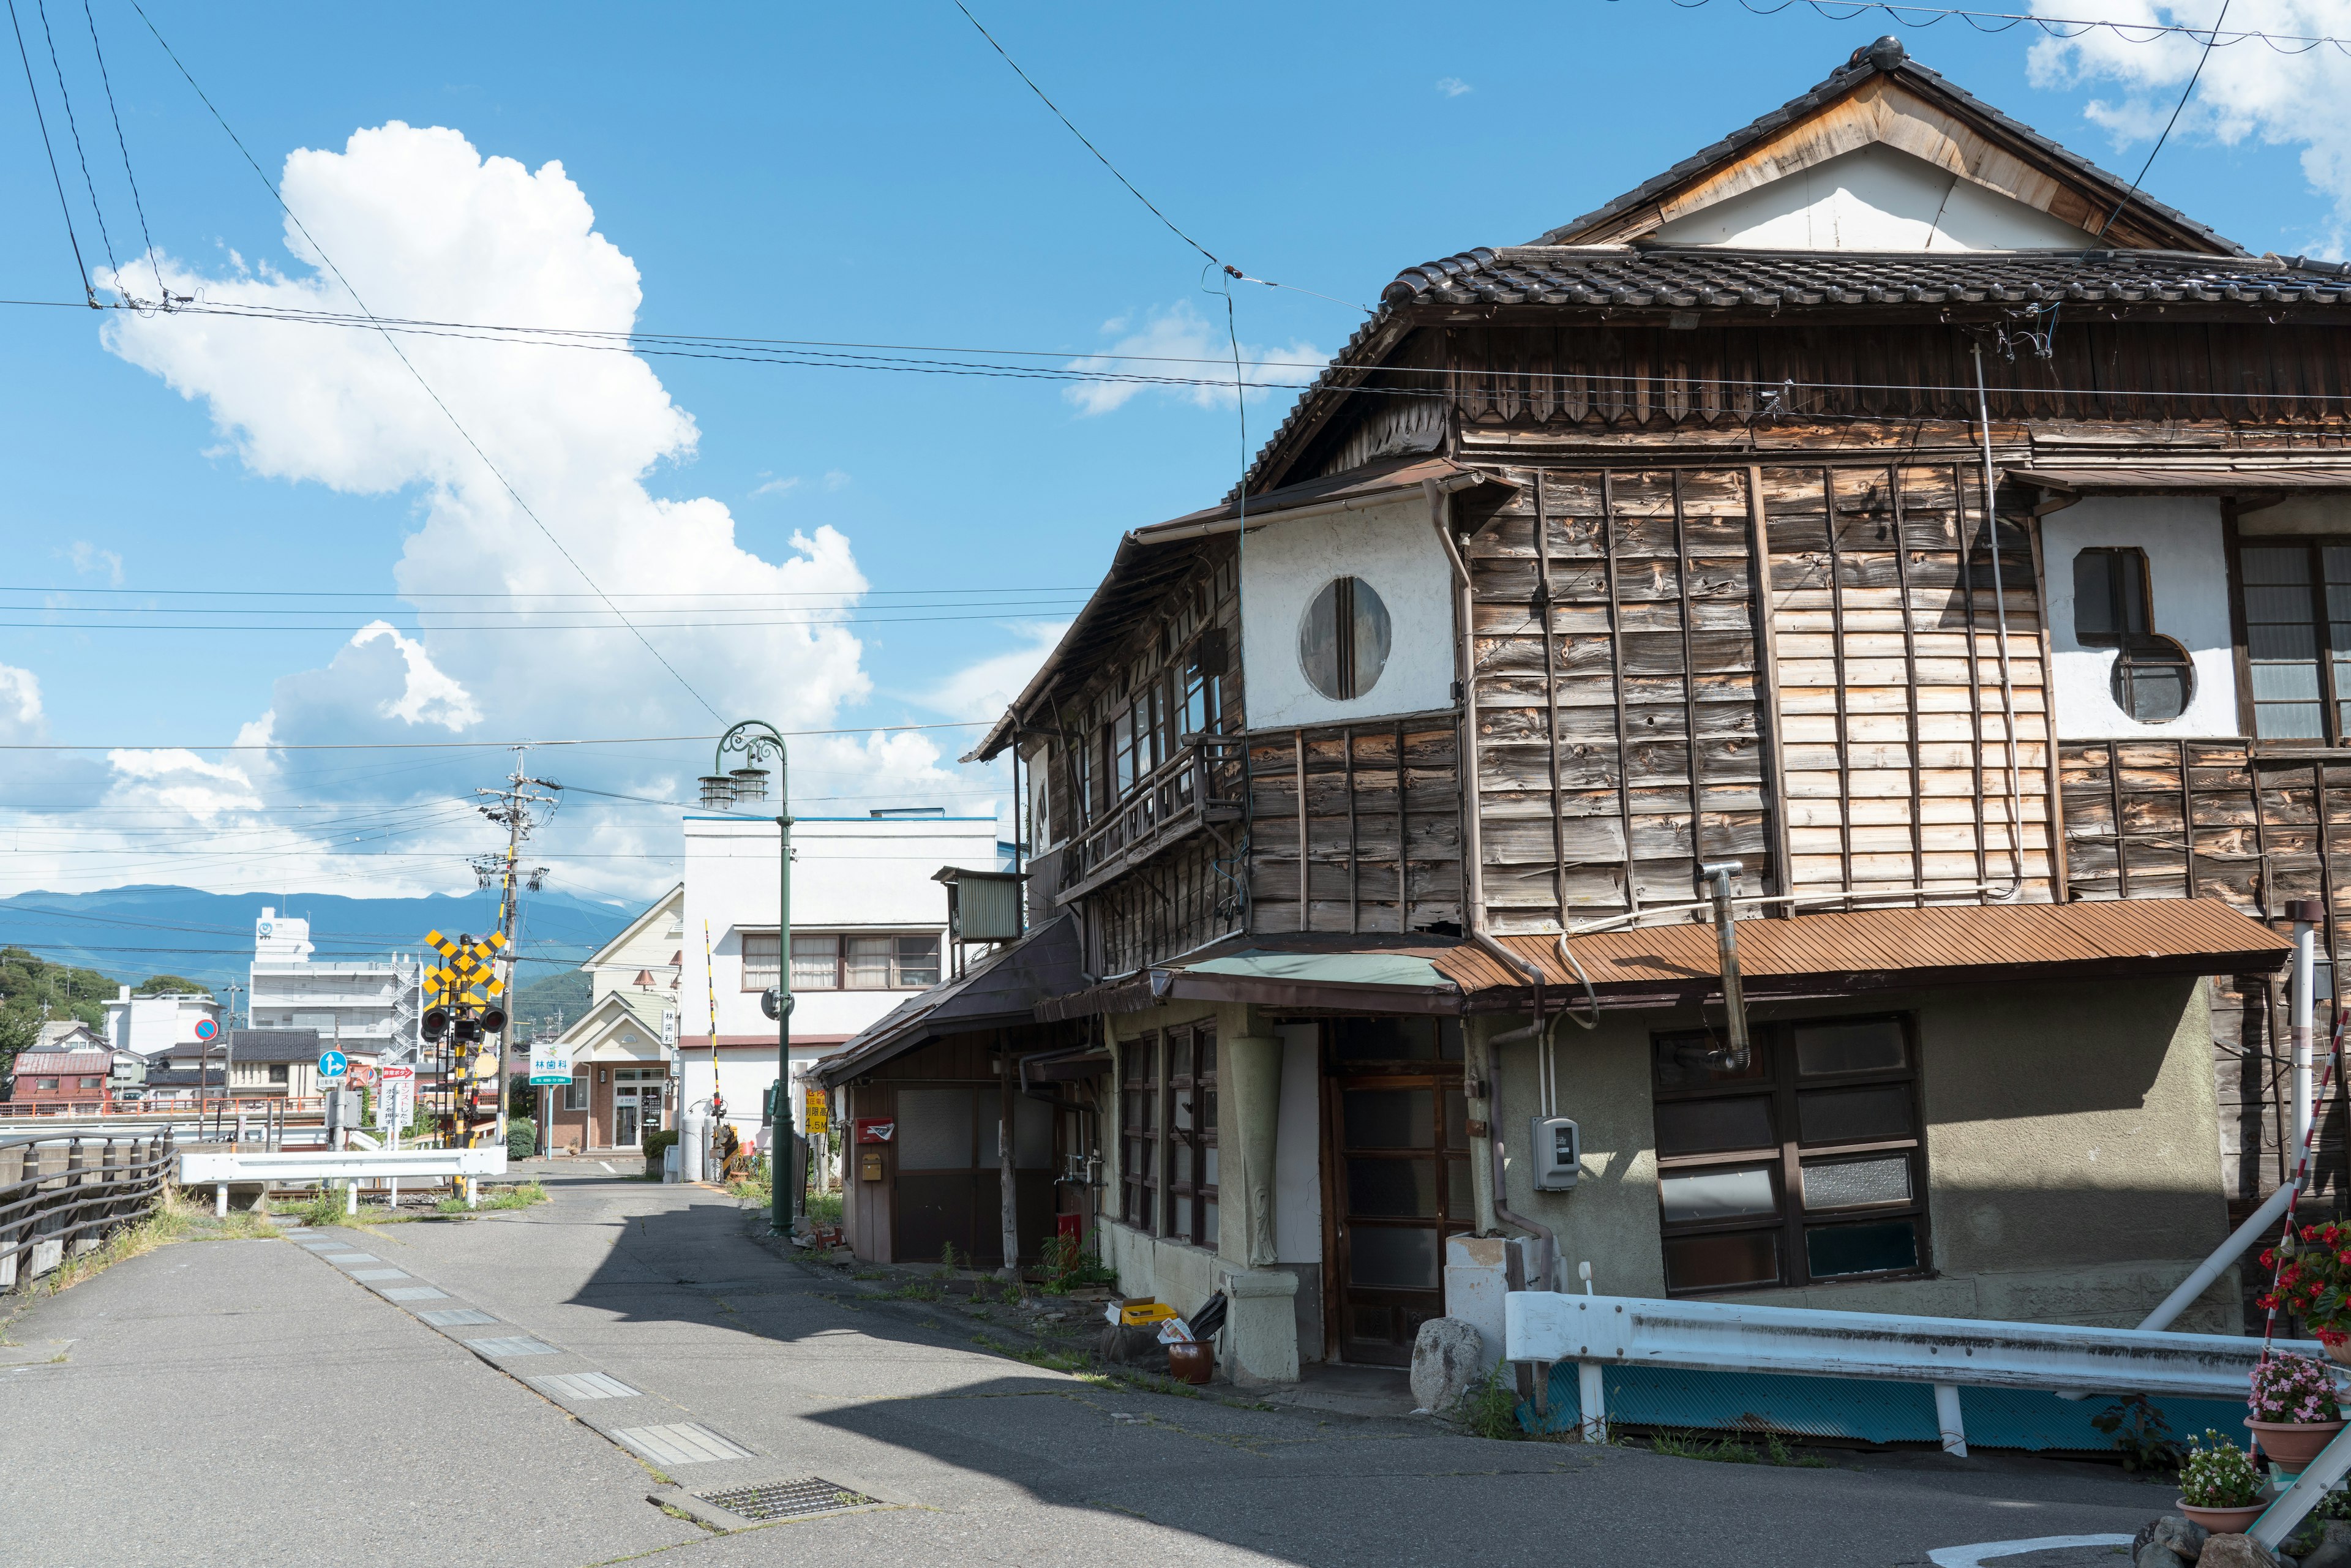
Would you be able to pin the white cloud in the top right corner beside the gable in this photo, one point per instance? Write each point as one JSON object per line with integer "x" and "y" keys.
{"x": 2246, "y": 91}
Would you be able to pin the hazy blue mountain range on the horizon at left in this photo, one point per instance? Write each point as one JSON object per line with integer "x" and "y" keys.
{"x": 135, "y": 932}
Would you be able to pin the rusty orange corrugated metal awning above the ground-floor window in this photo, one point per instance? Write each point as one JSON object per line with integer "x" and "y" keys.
{"x": 2199, "y": 937}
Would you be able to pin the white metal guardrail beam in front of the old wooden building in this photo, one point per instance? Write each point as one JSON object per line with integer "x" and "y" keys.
{"x": 1938, "y": 1351}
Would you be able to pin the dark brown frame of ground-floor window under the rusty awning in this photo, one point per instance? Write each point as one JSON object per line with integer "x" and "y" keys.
{"x": 1788, "y": 1158}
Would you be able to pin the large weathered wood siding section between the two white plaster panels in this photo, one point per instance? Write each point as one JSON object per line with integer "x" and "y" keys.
{"x": 1626, "y": 676}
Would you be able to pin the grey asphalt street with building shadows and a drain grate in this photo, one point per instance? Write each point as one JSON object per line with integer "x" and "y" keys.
{"x": 272, "y": 1402}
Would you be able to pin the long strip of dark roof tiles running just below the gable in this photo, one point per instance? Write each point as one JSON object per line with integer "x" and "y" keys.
{"x": 1708, "y": 279}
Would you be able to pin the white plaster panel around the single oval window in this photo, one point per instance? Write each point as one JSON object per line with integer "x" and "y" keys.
{"x": 1388, "y": 547}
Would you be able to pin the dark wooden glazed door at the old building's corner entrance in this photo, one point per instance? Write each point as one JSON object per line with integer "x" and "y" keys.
{"x": 1398, "y": 1158}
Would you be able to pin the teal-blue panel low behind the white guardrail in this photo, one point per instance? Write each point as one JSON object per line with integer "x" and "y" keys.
{"x": 1861, "y": 1409}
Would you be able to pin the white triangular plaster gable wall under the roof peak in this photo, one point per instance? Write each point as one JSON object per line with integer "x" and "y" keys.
{"x": 1875, "y": 199}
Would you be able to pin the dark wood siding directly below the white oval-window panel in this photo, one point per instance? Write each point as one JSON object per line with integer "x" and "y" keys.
{"x": 1355, "y": 826}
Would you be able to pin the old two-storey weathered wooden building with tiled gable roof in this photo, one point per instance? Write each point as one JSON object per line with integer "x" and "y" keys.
{"x": 1884, "y": 502}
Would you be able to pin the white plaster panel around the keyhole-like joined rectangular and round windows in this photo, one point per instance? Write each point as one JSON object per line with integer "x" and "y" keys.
{"x": 2188, "y": 577}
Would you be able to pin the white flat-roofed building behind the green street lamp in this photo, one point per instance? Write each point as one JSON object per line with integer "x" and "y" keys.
{"x": 869, "y": 930}
